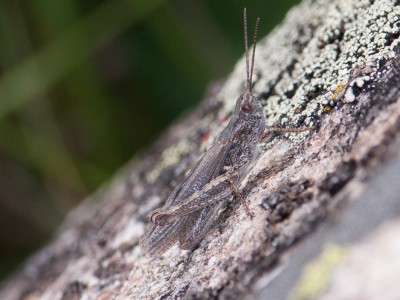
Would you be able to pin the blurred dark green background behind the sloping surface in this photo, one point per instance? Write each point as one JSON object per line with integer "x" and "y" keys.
{"x": 85, "y": 84}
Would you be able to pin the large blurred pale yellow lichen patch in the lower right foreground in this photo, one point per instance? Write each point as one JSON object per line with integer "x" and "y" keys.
{"x": 315, "y": 275}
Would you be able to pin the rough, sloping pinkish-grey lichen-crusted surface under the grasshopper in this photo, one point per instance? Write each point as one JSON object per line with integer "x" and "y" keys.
{"x": 332, "y": 64}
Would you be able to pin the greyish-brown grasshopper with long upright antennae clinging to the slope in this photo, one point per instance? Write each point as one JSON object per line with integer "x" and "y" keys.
{"x": 195, "y": 203}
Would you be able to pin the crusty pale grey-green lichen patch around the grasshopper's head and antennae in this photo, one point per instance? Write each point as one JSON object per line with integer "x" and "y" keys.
{"x": 304, "y": 61}
